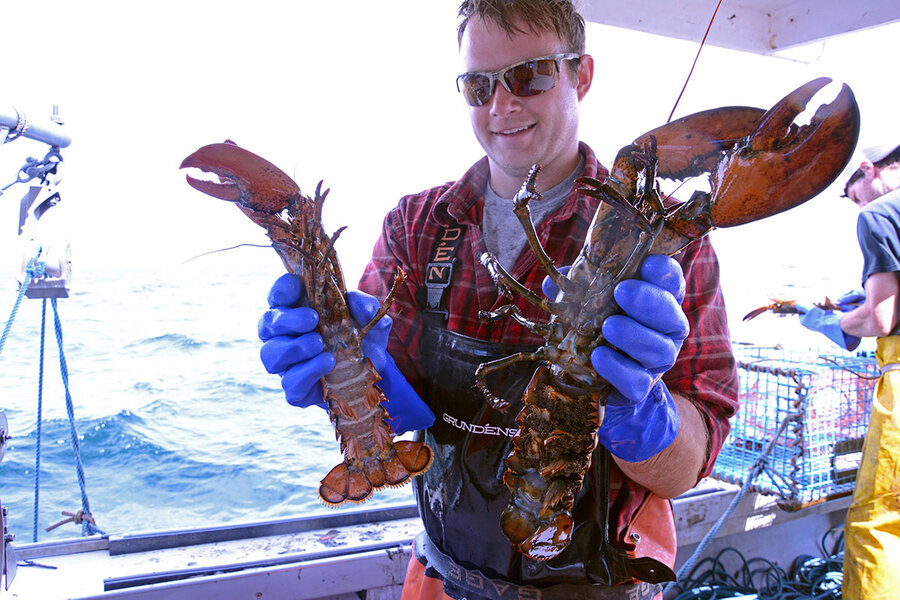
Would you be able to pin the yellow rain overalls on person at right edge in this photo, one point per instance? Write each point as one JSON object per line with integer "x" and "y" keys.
{"x": 872, "y": 531}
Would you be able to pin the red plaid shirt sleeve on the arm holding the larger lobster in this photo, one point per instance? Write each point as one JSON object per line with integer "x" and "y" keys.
{"x": 705, "y": 370}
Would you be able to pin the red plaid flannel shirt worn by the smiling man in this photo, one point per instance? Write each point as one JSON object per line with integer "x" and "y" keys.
{"x": 705, "y": 370}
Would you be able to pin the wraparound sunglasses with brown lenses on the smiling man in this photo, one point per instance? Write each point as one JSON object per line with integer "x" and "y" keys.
{"x": 527, "y": 78}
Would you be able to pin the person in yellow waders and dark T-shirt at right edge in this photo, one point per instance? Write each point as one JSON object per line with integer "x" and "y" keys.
{"x": 872, "y": 530}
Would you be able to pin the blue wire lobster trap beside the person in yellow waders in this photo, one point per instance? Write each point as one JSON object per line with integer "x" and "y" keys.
{"x": 806, "y": 416}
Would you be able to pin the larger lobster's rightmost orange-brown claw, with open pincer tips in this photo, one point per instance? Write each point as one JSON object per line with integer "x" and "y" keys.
{"x": 781, "y": 165}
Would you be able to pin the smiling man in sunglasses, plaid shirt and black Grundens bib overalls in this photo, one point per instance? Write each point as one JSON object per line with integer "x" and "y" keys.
{"x": 525, "y": 74}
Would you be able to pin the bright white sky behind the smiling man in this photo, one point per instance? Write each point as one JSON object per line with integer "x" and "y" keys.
{"x": 362, "y": 95}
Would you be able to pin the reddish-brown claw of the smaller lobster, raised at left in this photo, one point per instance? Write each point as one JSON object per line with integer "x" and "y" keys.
{"x": 244, "y": 177}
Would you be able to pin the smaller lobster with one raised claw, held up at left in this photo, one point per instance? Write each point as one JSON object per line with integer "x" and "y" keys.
{"x": 293, "y": 222}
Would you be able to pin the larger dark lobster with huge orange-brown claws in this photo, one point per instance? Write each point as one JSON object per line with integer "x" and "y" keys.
{"x": 760, "y": 164}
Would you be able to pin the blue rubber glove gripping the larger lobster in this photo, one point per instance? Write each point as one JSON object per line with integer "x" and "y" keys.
{"x": 641, "y": 419}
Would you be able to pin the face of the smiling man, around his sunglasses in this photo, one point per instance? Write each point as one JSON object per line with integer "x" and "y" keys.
{"x": 518, "y": 132}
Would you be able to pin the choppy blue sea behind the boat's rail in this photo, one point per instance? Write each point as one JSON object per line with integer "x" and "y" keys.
{"x": 180, "y": 426}
